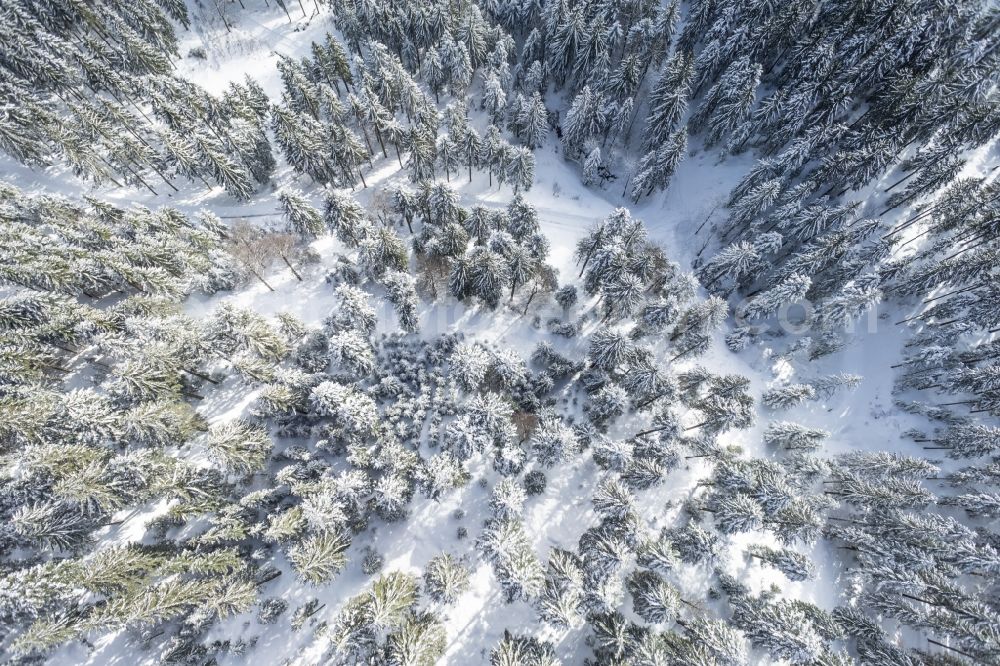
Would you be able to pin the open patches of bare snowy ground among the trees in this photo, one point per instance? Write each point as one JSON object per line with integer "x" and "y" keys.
{"x": 864, "y": 418}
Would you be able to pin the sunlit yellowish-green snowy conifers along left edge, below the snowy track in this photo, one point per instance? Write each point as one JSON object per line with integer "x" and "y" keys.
{"x": 101, "y": 376}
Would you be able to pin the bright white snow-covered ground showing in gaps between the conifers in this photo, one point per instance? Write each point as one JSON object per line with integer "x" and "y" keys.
{"x": 681, "y": 219}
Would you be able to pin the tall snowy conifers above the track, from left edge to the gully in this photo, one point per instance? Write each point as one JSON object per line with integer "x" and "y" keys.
{"x": 96, "y": 90}
